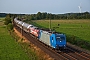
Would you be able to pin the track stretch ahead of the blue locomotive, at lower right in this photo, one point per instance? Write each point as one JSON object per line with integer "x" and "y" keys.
{"x": 78, "y": 54}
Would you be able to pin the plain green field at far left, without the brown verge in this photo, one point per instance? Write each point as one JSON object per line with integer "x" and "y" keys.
{"x": 9, "y": 49}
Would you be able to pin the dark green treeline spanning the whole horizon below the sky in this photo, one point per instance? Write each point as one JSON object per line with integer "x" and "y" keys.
{"x": 45, "y": 15}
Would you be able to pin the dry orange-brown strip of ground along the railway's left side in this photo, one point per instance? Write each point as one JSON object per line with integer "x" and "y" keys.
{"x": 39, "y": 52}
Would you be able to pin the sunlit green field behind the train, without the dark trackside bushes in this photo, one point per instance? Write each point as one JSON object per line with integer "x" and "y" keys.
{"x": 79, "y": 28}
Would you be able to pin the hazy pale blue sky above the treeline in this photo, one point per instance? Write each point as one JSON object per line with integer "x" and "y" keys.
{"x": 49, "y": 6}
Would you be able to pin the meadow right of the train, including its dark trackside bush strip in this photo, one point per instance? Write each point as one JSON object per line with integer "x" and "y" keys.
{"x": 77, "y": 31}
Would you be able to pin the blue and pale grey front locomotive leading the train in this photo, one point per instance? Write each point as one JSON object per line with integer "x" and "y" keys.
{"x": 54, "y": 40}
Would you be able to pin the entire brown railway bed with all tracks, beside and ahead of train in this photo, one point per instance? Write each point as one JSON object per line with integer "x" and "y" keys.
{"x": 67, "y": 54}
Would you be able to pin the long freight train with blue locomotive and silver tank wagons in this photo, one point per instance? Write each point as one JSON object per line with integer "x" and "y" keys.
{"x": 50, "y": 38}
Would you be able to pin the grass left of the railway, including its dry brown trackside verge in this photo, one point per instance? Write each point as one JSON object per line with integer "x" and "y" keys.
{"x": 13, "y": 49}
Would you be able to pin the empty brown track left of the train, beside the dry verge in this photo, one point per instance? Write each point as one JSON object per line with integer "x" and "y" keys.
{"x": 33, "y": 40}
